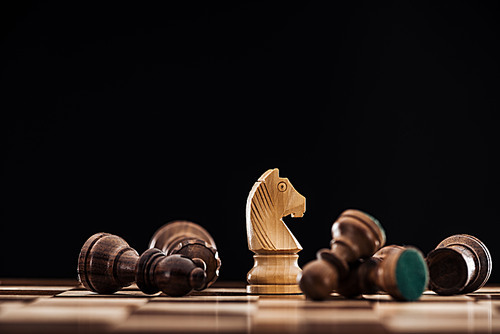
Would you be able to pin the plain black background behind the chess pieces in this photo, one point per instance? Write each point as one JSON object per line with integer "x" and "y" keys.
{"x": 120, "y": 118}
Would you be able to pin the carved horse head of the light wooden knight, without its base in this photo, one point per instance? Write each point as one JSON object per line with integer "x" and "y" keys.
{"x": 271, "y": 198}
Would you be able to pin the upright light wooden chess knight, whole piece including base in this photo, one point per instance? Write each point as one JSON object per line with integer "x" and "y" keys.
{"x": 275, "y": 267}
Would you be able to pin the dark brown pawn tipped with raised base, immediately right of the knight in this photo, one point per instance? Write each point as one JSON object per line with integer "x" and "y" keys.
{"x": 356, "y": 235}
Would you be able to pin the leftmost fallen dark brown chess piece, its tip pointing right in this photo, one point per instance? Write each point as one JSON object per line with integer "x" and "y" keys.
{"x": 107, "y": 263}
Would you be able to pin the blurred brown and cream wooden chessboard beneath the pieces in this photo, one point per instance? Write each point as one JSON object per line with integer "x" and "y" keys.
{"x": 62, "y": 306}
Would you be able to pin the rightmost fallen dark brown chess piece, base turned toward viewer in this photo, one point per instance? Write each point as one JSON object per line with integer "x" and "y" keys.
{"x": 460, "y": 264}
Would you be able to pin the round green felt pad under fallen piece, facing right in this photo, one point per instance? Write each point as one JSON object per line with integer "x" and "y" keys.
{"x": 411, "y": 274}
